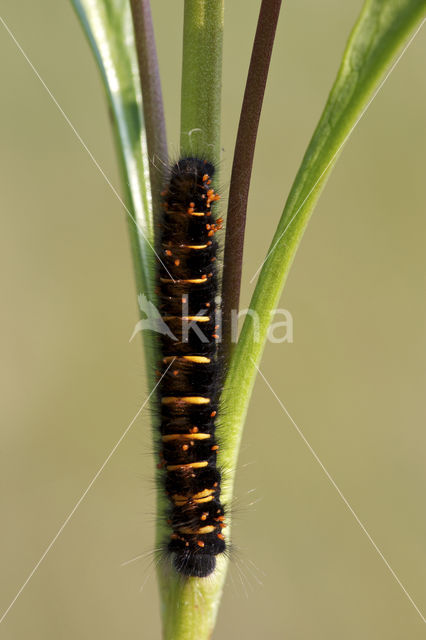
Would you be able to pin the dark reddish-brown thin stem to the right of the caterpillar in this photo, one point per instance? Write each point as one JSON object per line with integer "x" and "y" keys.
{"x": 243, "y": 163}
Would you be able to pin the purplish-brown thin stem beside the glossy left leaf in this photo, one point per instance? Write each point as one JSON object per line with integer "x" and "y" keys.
{"x": 152, "y": 98}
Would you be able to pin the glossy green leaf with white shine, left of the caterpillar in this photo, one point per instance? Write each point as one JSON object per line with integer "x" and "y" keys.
{"x": 109, "y": 30}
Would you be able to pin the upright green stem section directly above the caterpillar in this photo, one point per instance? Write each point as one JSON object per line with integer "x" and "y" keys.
{"x": 202, "y": 78}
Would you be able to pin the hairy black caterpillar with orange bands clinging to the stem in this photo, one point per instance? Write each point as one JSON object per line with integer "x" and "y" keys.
{"x": 189, "y": 369}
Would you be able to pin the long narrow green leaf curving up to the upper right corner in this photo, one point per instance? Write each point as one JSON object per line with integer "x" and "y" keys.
{"x": 382, "y": 28}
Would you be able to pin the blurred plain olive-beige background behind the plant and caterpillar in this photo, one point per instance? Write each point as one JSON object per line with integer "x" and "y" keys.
{"x": 353, "y": 379}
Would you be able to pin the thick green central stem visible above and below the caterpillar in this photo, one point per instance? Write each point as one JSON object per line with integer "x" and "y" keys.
{"x": 189, "y": 606}
